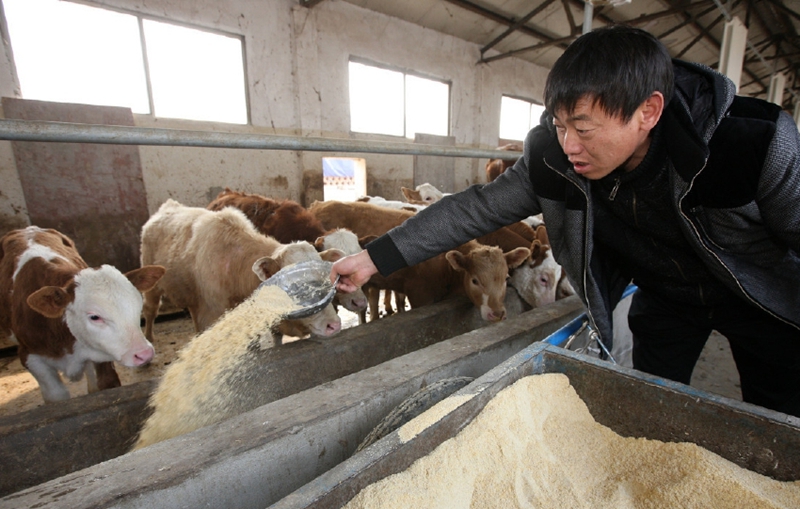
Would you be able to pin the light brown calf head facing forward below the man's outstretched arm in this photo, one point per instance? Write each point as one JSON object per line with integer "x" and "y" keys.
{"x": 485, "y": 270}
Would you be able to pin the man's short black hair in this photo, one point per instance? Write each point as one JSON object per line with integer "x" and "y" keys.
{"x": 618, "y": 66}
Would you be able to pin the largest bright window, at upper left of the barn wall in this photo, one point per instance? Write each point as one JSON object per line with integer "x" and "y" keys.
{"x": 70, "y": 52}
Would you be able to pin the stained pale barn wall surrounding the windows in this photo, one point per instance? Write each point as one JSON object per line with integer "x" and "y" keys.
{"x": 296, "y": 68}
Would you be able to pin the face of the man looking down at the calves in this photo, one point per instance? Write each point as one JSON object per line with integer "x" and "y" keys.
{"x": 596, "y": 143}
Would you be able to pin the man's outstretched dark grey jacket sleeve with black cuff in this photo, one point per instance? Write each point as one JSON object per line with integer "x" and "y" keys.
{"x": 456, "y": 219}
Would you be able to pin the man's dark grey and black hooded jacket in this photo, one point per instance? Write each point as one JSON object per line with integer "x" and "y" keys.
{"x": 733, "y": 168}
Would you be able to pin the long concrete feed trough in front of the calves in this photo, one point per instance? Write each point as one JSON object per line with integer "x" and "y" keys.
{"x": 323, "y": 398}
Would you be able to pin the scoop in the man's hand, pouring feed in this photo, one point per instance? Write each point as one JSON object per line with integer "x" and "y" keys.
{"x": 308, "y": 284}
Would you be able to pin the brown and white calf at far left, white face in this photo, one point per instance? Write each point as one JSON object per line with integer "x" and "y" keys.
{"x": 67, "y": 317}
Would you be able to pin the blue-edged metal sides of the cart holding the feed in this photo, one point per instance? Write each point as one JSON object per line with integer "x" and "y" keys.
{"x": 754, "y": 438}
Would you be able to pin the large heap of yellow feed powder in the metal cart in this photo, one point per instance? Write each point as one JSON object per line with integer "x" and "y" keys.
{"x": 536, "y": 445}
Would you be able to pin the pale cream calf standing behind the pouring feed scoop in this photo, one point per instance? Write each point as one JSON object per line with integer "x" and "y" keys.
{"x": 215, "y": 260}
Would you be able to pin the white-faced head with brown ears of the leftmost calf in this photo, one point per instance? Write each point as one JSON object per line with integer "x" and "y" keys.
{"x": 102, "y": 309}
